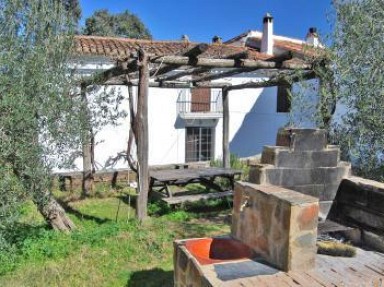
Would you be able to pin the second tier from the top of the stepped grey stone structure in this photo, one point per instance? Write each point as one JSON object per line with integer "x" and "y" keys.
{"x": 284, "y": 157}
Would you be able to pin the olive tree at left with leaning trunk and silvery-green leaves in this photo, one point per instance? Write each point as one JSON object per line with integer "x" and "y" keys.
{"x": 39, "y": 125}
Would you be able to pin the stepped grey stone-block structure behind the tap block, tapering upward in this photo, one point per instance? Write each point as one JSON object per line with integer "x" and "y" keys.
{"x": 302, "y": 161}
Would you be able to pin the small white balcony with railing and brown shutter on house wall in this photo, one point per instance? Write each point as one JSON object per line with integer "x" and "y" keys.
{"x": 190, "y": 107}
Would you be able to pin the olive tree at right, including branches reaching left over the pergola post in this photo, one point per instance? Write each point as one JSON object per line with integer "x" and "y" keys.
{"x": 351, "y": 94}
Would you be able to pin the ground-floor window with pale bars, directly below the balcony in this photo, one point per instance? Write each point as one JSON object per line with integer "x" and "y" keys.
{"x": 199, "y": 144}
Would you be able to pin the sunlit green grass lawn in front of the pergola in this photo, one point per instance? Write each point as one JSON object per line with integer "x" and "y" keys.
{"x": 109, "y": 248}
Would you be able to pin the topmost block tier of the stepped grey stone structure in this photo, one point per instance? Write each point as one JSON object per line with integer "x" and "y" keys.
{"x": 302, "y": 139}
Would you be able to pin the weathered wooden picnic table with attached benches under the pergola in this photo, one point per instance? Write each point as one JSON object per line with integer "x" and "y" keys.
{"x": 161, "y": 180}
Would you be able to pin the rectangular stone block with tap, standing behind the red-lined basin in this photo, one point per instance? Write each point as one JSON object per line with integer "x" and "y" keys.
{"x": 279, "y": 224}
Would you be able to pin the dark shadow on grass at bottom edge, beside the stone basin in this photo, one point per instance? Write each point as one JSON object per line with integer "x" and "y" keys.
{"x": 151, "y": 278}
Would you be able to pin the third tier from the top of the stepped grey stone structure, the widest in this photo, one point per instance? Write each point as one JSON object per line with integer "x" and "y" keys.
{"x": 290, "y": 177}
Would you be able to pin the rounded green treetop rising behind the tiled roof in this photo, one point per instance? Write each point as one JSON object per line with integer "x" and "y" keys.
{"x": 125, "y": 24}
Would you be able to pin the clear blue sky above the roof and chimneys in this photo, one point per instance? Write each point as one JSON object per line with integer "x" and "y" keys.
{"x": 203, "y": 19}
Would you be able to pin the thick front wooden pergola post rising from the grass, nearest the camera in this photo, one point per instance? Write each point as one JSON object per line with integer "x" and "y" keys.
{"x": 141, "y": 122}
